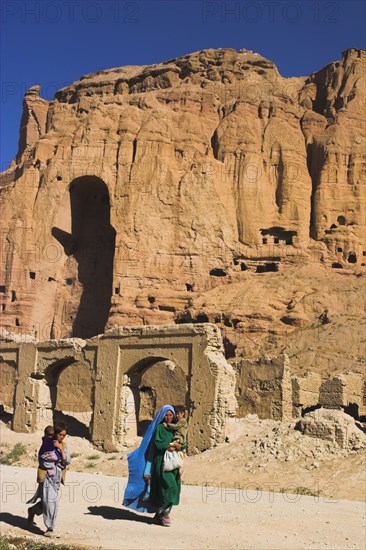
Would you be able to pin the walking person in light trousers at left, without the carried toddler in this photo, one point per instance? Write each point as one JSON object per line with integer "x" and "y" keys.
{"x": 49, "y": 485}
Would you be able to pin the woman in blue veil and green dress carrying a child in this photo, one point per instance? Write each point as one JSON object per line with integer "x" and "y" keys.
{"x": 150, "y": 488}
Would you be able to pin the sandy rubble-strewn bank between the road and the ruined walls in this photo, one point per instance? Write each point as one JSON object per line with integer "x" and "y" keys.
{"x": 260, "y": 454}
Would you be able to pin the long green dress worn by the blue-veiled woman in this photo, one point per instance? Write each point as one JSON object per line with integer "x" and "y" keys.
{"x": 165, "y": 486}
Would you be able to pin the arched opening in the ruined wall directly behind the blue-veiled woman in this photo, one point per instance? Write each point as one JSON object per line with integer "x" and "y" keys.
{"x": 154, "y": 382}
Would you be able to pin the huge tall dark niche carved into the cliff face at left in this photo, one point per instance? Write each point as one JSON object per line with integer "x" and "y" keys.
{"x": 91, "y": 245}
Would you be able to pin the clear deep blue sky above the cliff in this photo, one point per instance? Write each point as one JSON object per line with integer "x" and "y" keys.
{"x": 54, "y": 42}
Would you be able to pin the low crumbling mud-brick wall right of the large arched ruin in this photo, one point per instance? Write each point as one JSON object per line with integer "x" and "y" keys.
{"x": 265, "y": 387}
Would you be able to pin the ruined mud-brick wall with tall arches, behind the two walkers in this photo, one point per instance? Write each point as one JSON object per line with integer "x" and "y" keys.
{"x": 123, "y": 376}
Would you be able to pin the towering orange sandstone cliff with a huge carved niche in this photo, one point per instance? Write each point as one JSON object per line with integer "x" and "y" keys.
{"x": 139, "y": 191}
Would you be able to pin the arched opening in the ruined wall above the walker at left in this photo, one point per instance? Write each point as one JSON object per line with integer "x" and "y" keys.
{"x": 71, "y": 392}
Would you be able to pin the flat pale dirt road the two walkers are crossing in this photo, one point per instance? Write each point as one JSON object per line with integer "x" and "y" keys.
{"x": 208, "y": 517}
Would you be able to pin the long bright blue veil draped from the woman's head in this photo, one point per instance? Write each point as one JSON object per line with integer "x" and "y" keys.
{"x": 139, "y": 464}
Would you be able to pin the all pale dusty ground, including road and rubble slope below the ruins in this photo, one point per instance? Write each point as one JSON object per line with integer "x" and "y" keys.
{"x": 245, "y": 495}
